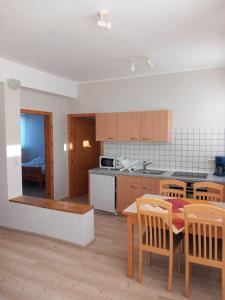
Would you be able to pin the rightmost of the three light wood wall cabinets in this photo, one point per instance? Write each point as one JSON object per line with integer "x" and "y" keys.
{"x": 156, "y": 126}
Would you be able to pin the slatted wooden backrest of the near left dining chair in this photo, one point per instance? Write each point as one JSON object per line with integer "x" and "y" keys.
{"x": 154, "y": 223}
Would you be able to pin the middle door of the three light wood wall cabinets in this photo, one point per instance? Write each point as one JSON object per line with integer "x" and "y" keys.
{"x": 129, "y": 126}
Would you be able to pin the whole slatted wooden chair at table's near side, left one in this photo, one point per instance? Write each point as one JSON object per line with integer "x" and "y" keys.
{"x": 155, "y": 233}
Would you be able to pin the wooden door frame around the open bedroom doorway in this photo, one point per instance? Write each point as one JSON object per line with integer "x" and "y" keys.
{"x": 48, "y": 127}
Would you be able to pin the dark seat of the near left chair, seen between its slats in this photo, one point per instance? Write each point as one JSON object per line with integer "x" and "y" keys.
{"x": 177, "y": 238}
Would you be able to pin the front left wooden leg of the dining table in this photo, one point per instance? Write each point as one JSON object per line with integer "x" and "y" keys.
{"x": 130, "y": 248}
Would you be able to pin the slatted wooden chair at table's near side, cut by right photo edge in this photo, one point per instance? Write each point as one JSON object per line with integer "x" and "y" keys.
{"x": 204, "y": 226}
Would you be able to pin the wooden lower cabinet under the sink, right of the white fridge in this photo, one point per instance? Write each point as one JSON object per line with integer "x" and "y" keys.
{"x": 129, "y": 188}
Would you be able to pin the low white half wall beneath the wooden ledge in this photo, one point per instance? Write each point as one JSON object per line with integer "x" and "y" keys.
{"x": 74, "y": 228}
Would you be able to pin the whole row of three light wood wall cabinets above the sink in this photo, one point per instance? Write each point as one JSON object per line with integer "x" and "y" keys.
{"x": 152, "y": 126}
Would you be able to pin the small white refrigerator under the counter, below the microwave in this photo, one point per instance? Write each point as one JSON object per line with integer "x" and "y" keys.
{"x": 102, "y": 192}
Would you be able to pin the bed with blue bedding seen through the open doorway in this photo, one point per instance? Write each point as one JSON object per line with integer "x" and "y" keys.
{"x": 34, "y": 171}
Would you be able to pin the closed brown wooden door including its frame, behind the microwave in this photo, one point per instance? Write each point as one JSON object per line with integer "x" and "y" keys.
{"x": 83, "y": 154}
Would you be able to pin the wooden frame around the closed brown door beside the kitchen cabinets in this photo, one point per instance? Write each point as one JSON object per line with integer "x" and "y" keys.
{"x": 70, "y": 117}
